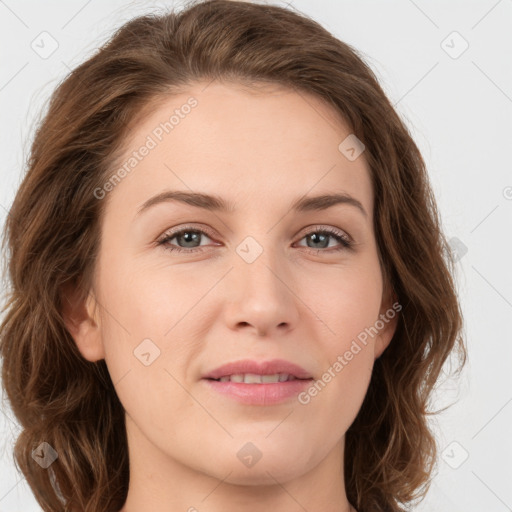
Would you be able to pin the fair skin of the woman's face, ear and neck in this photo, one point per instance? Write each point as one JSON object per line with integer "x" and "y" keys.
{"x": 261, "y": 150}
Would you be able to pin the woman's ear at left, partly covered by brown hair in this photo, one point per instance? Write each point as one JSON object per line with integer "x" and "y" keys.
{"x": 80, "y": 318}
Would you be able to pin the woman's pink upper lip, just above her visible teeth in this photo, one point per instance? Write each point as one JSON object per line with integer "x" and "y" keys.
{"x": 259, "y": 368}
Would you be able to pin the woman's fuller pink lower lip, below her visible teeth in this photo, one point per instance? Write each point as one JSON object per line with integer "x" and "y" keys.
{"x": 260, "y": 394}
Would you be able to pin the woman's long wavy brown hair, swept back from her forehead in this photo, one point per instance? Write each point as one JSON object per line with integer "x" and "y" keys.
{"x": 52, "y": 232}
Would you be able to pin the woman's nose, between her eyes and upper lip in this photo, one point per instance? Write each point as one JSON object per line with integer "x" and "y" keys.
{"x": 261, "y": 297}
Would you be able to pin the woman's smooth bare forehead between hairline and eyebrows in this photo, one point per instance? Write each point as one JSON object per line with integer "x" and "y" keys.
{"x": 241, "y": 142}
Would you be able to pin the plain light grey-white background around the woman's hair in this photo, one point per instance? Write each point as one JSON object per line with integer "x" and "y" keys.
{"x": 458, "y": 106}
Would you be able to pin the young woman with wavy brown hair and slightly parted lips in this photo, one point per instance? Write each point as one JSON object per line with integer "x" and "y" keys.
{"x": 229, "y": 285}
